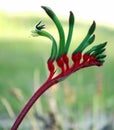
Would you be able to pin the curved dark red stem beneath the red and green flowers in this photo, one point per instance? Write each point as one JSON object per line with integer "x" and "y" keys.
{"x": 51, "y": 81}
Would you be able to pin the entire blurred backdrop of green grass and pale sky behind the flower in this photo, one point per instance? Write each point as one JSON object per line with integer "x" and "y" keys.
{"x": 85, "y": 100}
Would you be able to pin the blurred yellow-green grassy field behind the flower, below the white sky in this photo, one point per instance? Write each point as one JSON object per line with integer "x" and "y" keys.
{"x": 89, "y": 93}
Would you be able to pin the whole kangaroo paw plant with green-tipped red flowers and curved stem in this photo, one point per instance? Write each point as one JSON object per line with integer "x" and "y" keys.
{"x": 59, "y": 56}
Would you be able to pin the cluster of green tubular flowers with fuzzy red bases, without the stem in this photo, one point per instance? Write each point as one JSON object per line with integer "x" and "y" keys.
{"x": 92, "y": 57}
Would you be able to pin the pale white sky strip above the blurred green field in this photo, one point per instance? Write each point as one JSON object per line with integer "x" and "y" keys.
{"x": 98, "y": 10}
